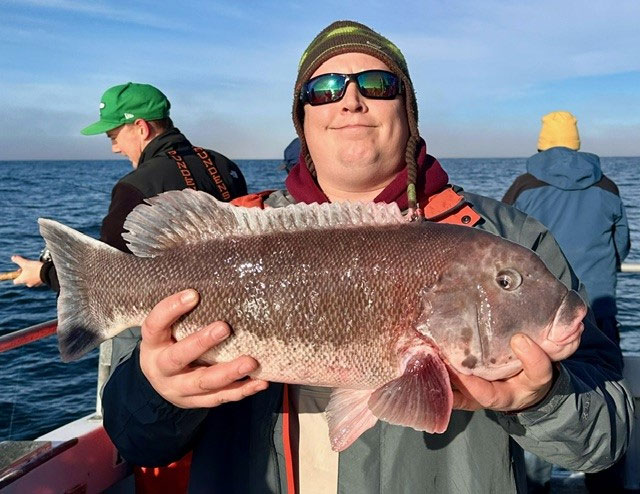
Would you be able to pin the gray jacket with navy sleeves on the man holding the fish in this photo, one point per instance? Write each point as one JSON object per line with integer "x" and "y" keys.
{"x": 583, "y": 424}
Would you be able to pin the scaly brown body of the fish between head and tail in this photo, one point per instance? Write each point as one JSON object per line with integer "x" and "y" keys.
{"x": 298, "y": 302}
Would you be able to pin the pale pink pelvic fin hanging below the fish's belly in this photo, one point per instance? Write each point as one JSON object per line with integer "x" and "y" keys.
{"x": 348, "y": 416}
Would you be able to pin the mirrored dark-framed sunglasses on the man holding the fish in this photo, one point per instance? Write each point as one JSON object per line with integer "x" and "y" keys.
{"x": 329, "y": 88}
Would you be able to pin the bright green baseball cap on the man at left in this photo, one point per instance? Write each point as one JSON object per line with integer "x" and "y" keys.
{"x": 125, "y": 103}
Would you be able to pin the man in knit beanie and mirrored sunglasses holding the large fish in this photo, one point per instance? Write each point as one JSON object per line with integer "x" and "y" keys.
{"x": 356, "y": 115}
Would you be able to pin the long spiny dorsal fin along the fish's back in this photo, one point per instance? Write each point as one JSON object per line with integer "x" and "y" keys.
{"x": 178, "y": 218}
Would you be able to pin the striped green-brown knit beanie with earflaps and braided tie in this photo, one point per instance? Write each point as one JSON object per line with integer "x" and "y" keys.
{"x": 349, "y": 37}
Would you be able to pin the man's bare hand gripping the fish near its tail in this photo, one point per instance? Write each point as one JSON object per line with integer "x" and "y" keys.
{"x": 167, "y": 364}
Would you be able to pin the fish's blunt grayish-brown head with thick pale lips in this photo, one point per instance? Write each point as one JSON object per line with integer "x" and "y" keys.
{"x": 491, "y": 290}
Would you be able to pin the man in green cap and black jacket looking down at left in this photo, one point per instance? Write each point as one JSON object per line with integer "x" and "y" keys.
{"x": 135, "y": 117}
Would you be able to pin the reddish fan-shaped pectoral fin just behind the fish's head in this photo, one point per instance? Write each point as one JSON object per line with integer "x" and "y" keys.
{"x": 421, "y": 398}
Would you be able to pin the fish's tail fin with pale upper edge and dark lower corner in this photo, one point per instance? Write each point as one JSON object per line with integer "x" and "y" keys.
{"x": 80, "y": 327}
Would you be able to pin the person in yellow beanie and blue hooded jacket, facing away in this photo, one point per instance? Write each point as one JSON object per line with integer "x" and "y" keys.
{"x": 560, "y": 189}
